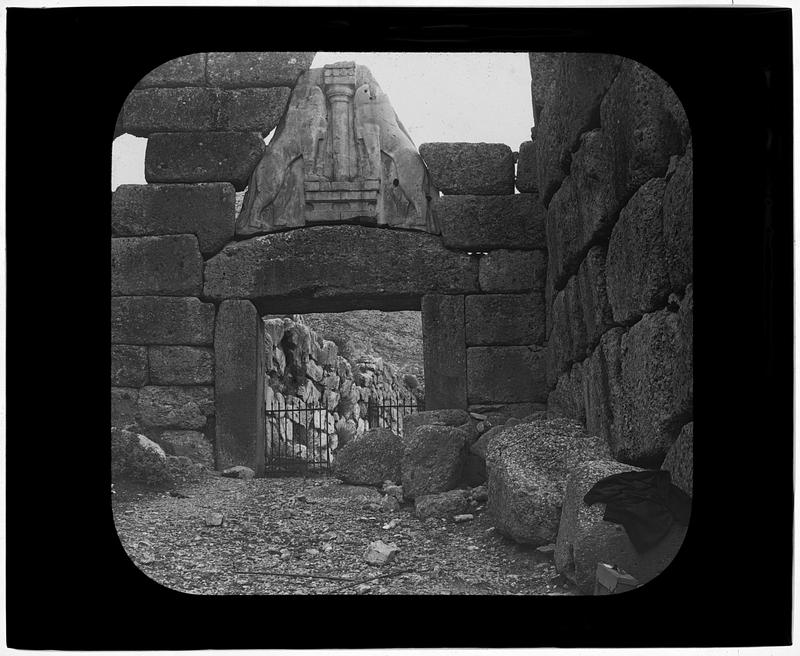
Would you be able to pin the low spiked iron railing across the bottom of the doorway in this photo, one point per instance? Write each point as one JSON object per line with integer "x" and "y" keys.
{"x": 303, "y": 439}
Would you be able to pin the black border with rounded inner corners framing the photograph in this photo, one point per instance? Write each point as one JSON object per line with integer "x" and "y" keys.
{"x": 69, "y": 584}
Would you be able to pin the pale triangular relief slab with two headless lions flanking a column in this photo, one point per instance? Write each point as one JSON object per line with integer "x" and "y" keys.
{"x": 340, "y": 155}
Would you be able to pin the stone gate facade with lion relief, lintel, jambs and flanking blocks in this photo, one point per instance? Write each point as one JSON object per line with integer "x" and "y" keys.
{"x": 341, "y": 213}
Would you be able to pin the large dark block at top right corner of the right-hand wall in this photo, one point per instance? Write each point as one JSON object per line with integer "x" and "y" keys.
{"x": 638, "y": 115}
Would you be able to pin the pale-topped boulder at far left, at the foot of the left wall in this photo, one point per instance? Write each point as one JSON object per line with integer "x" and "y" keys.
{"x": 136, "y": 458}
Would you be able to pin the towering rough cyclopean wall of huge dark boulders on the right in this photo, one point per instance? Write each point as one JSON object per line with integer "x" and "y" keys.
{"x": 612, "y": 161}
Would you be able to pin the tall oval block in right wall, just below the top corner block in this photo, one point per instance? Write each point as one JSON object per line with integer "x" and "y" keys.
{"x": 636, "y": 269}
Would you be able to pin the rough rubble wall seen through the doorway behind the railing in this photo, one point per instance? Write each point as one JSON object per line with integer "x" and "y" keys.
{"x": 317, "y": 401}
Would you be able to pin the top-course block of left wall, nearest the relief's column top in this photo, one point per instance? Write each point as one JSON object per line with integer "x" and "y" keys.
{"x": 256, "y": 69}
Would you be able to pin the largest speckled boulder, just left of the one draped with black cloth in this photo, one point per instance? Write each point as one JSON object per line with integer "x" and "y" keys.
{"x": 528, "y": 467}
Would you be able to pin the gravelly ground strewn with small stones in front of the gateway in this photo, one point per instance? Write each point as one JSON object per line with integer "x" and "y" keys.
{"x": 291, "y": 526}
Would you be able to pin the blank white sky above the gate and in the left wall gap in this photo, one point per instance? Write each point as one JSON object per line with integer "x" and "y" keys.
{"x": 473, "y": 97}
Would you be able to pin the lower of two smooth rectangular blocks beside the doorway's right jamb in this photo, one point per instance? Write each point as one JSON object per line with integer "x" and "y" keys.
{"x": 505, "y": 374}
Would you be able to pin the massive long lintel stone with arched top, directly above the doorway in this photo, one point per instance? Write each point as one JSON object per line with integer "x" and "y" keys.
{"x": 350, "y": 262}
